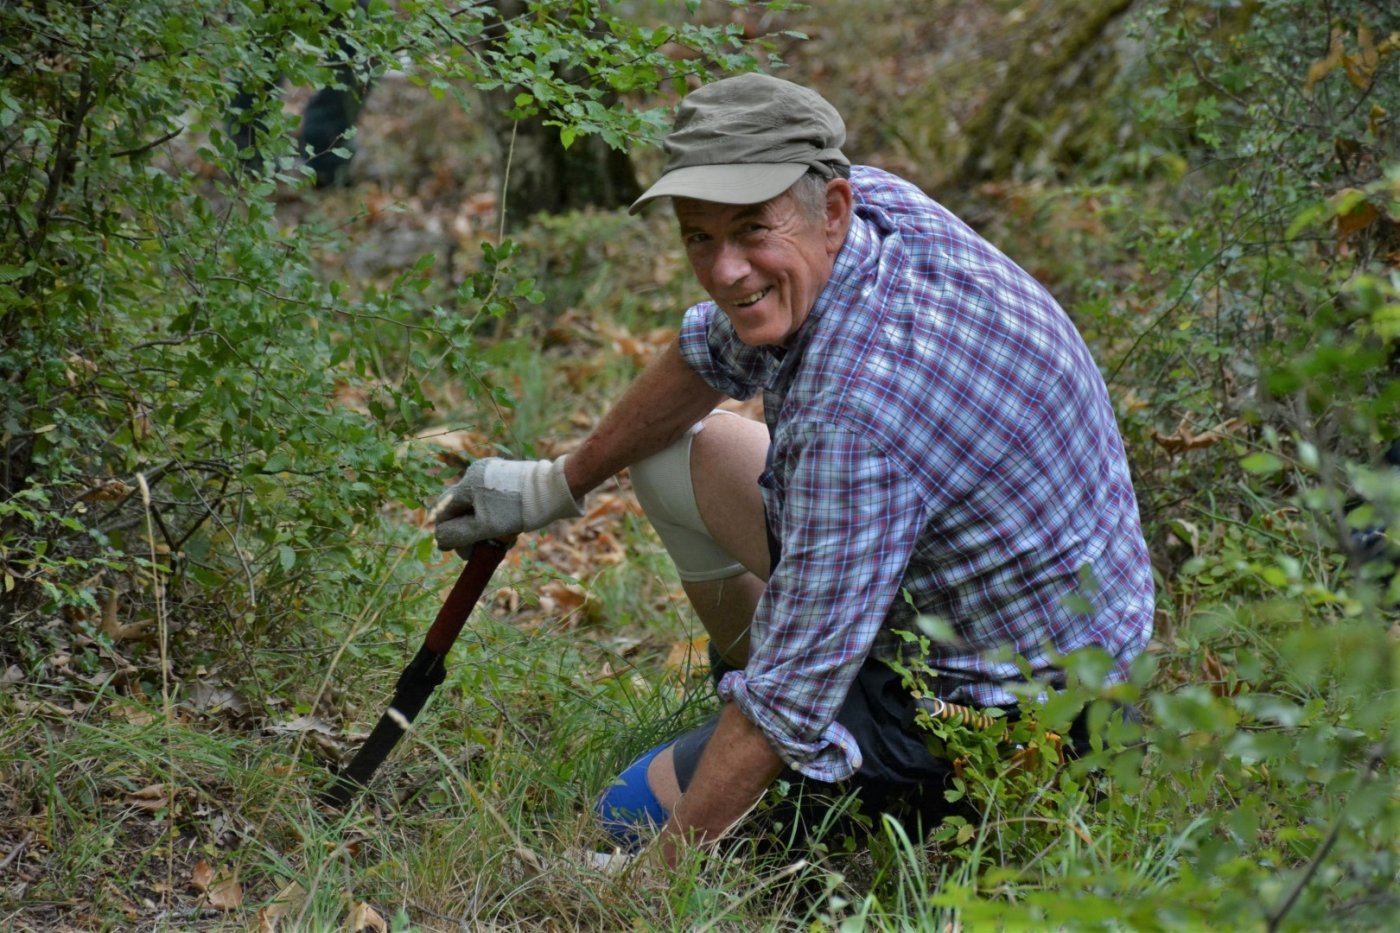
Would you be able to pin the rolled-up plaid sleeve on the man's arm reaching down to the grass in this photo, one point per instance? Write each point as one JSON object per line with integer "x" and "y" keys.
{"x": 849, "y": 525}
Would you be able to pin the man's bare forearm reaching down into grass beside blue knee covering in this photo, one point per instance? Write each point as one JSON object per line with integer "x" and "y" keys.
{"x": 734, "y": 773}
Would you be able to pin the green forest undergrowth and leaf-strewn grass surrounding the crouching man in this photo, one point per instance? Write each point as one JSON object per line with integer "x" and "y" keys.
{"x": 229, "y": 400}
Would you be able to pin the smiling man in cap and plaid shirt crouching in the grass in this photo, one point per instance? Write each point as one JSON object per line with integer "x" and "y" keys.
{"x": 939, "y": 443}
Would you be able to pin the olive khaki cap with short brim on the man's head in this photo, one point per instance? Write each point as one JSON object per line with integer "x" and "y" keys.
{"x": 747, "y": 139}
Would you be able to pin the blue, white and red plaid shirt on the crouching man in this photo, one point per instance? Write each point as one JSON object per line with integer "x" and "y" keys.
{"x": 940, "y": 432}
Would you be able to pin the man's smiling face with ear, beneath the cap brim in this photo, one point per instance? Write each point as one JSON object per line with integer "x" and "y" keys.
{"x": 765, "y": 265}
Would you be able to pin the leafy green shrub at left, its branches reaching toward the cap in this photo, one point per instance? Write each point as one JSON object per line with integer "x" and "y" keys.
{"x": 159, "y": 320}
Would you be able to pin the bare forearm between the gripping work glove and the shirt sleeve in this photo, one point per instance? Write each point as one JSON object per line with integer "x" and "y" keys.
{"x": 660, "y": 406}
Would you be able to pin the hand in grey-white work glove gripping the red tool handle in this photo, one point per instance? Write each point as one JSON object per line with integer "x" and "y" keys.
{"x": 502, "y": 498}
